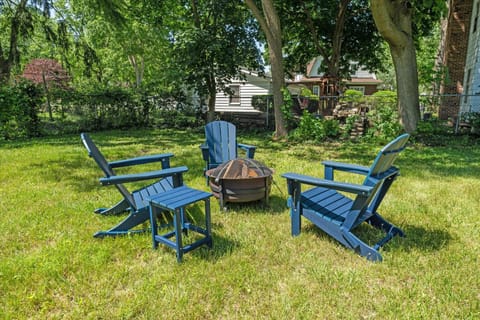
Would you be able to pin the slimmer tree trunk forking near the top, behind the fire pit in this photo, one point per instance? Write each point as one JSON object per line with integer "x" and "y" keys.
{"x": 270, "y": 24}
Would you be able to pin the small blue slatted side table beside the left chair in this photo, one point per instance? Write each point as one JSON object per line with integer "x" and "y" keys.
{"x": 175, "y": 201}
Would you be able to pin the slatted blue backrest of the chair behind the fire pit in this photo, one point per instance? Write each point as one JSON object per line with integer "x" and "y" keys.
{"x": 221, "y": 141}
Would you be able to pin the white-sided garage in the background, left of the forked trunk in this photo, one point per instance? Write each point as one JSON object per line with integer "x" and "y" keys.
{"x": 250, "y": 87}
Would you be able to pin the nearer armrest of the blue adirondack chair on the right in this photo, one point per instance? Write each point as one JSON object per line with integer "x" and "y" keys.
{"x": 340, "y": 186}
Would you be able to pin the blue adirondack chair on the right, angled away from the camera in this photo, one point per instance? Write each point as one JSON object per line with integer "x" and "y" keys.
{"x": 327, "y": 206}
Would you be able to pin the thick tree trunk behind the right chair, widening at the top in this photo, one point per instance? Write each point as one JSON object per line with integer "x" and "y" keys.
{"x": 393, "y": 19}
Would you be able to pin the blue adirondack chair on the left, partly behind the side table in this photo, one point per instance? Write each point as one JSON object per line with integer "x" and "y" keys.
{"x": 136, "y": 202}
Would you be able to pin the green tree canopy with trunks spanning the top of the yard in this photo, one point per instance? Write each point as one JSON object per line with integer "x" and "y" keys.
{"x": 203, "y": 45}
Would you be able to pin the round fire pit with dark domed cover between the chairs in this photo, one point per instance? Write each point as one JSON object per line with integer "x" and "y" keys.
{"x": 240, "y": 180}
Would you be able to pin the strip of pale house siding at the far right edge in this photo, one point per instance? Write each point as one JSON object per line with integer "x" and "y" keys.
{"x": 471, "y": 89}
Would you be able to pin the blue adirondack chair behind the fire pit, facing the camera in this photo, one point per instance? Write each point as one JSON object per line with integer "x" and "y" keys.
{"x": 221, "y": 144}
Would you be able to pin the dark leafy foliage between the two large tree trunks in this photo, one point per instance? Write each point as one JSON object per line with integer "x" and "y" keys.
{"x": 309, "y": 28}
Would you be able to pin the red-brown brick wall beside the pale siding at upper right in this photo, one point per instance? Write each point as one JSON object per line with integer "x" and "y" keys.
{"x": 454, "y": 55}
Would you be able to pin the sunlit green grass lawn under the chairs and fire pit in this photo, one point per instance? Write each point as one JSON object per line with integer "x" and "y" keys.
{"x": 51, "y": 266}
